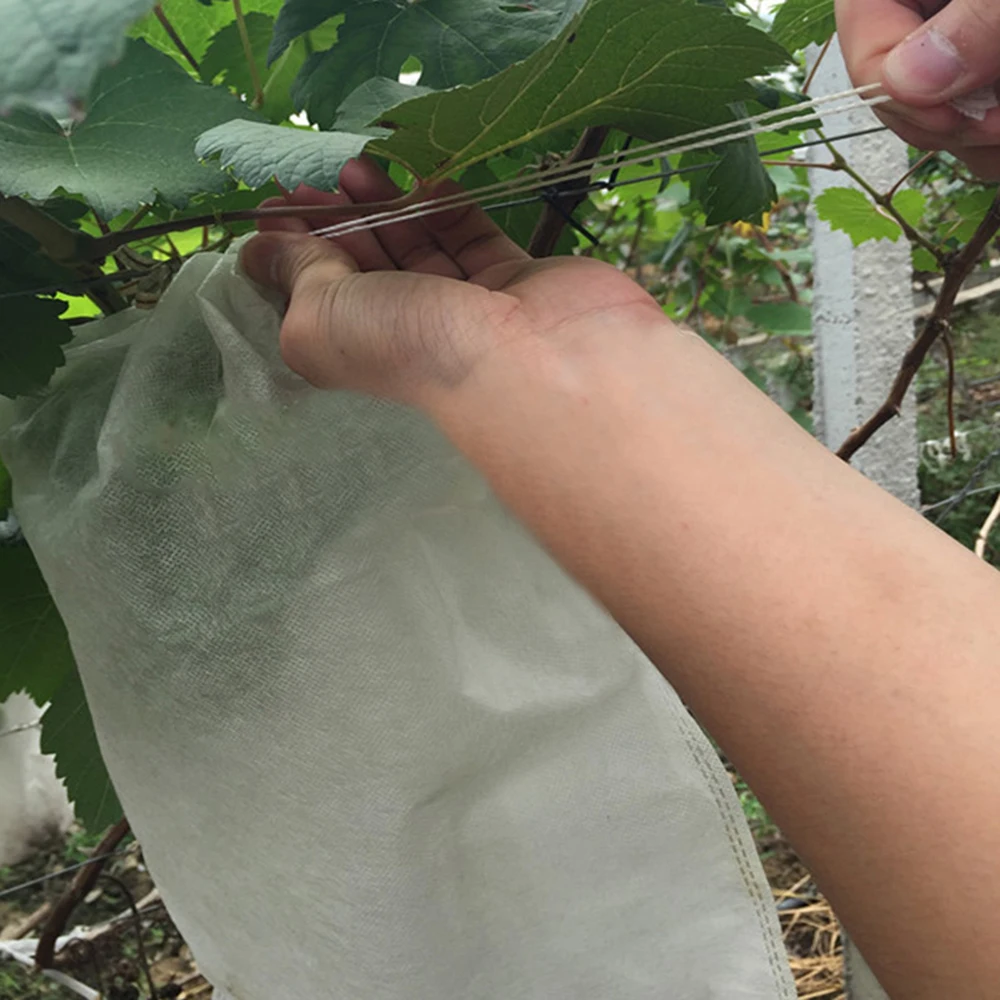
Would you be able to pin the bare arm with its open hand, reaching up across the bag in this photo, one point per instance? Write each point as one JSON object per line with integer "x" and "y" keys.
{"x": 842, "y": 651}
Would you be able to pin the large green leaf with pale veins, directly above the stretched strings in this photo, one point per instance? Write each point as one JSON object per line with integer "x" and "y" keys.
{"x": 654, "y": 68}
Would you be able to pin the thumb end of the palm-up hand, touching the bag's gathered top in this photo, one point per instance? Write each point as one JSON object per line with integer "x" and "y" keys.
{"x": 291, "y": 262}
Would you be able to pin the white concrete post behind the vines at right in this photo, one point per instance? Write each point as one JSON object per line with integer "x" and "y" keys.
{"x": 862, "y": 323}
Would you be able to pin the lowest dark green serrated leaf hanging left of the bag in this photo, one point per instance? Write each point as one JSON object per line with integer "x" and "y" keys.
{"x": 68, "y": 732}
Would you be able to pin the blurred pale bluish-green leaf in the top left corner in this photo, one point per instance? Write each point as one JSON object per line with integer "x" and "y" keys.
{"x": 52, "y": 50}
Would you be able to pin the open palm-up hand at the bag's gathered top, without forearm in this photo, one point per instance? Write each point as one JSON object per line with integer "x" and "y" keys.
{"x": 408, "y": 309}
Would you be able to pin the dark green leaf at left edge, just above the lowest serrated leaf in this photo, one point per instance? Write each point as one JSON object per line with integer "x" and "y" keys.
{"x": 35, "y": 653}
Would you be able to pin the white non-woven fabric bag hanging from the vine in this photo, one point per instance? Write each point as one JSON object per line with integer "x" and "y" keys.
{"x": 375, "y": 743}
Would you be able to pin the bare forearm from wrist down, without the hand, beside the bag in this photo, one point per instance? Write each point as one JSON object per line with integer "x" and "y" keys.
{"x": 842, "y": 651}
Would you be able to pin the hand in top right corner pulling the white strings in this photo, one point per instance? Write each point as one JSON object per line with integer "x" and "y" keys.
{"x": 926, "y": 53}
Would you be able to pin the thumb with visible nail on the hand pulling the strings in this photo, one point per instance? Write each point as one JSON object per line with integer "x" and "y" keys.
{"x": 955, "y": 52}
